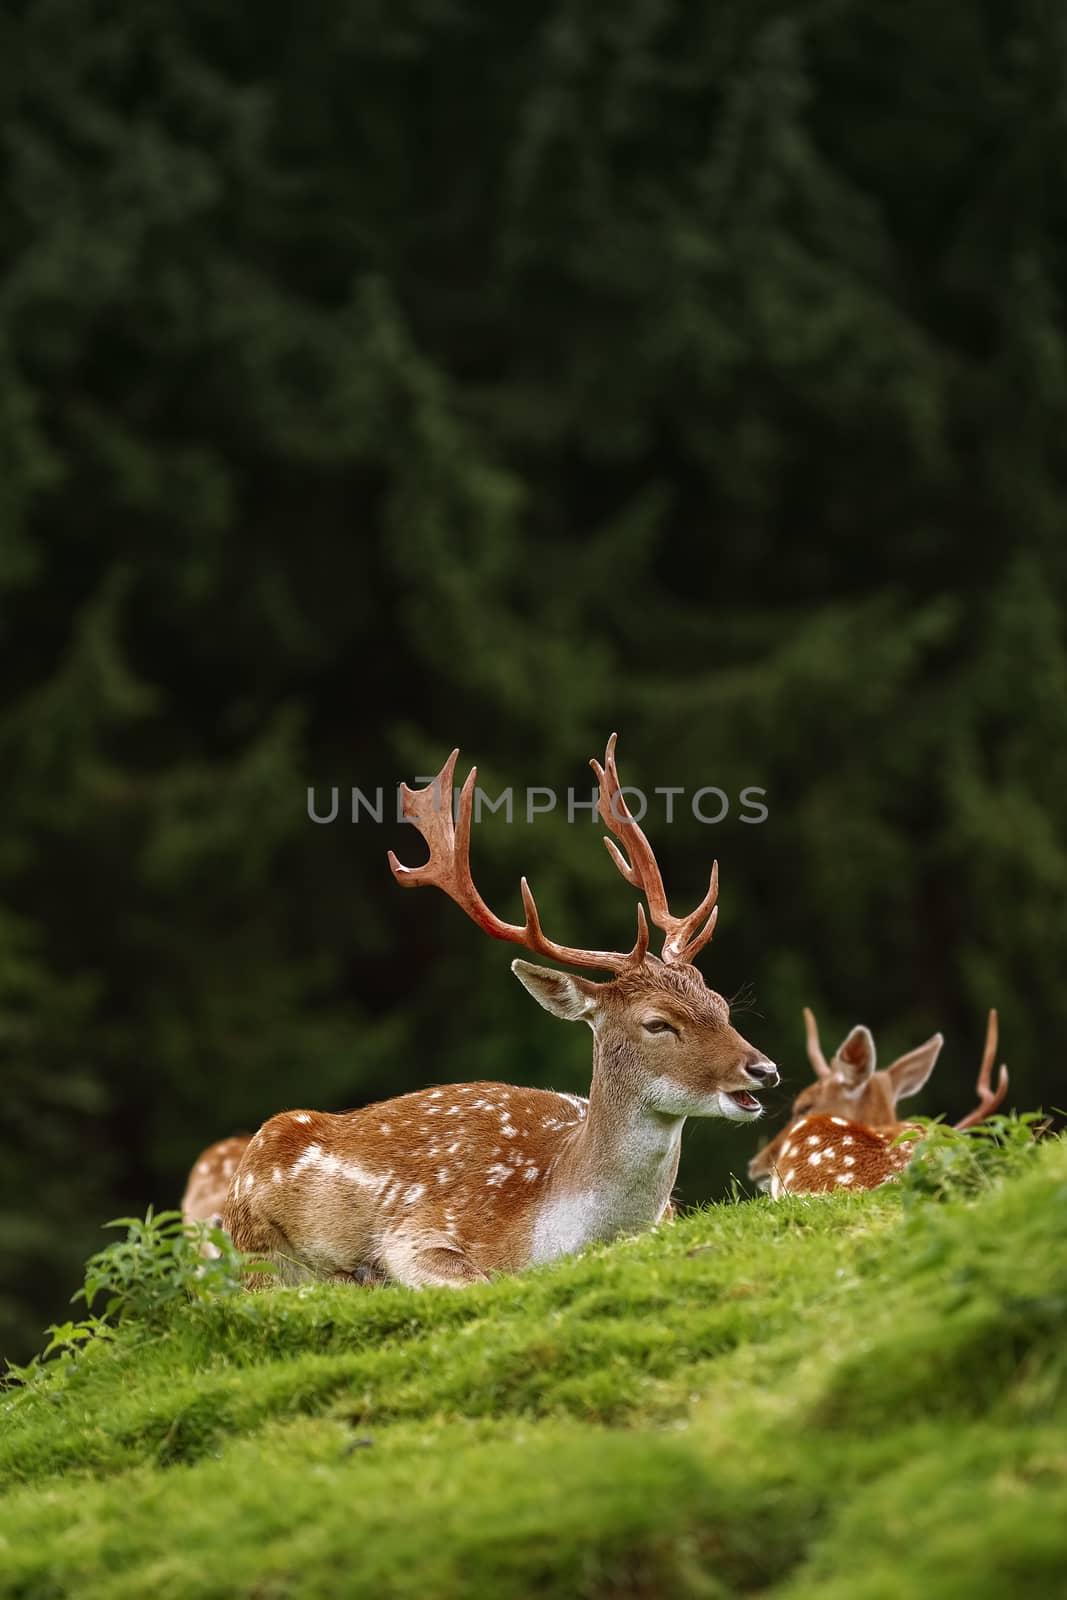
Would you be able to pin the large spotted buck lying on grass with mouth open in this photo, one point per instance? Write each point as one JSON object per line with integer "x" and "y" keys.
{"x": 450, "y": 1185}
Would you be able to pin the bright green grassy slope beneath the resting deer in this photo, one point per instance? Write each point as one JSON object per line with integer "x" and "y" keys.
{"x": 849, "y": 1398}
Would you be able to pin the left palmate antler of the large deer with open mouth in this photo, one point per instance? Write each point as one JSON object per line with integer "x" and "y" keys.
{"x": 449, "y": 870}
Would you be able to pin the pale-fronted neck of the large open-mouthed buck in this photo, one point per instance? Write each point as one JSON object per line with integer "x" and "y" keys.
{"x": 615, "y": 1172}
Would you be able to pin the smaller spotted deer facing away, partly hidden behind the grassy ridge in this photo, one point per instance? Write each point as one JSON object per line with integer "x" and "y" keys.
{"x": 844, "y": 1129}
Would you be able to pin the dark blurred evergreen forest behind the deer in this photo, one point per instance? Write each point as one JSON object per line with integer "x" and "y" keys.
{"x": 380, "y": 378}
